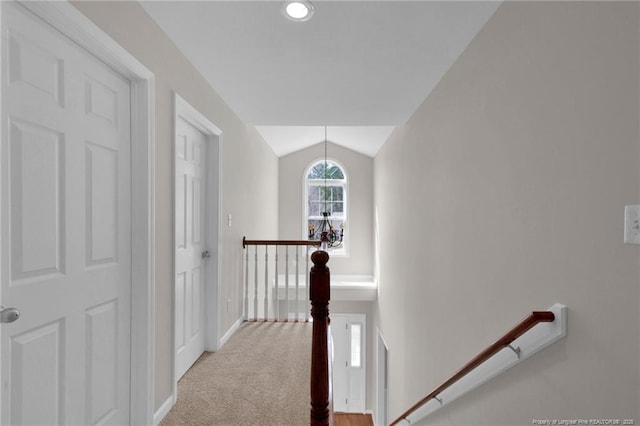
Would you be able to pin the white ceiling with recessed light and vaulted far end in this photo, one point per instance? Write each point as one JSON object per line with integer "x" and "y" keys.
{"x": 359, "y": 67}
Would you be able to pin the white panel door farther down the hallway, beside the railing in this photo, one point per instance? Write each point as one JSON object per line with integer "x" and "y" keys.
{"x": 190, "y": 244}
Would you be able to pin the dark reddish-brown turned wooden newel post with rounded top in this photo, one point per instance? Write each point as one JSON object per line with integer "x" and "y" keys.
{"x": 319, "y": 292}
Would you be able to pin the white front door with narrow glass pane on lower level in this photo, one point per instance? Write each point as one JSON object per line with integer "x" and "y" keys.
{"x": 349, "y": 362}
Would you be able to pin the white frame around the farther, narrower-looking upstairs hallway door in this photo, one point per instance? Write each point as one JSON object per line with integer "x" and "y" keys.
{"x": 213, "y": 222}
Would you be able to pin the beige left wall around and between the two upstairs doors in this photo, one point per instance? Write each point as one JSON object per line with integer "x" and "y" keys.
{"x": 250, "y": 169}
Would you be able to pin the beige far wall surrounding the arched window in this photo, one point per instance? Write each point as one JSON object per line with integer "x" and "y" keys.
{"x": 359, "y": 169}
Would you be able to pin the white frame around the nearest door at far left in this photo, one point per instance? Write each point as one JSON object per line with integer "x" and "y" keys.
{"x": 75, "y": 25}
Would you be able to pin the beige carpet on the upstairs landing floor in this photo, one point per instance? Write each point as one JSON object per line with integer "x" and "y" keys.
{"x": 259, "y": 377}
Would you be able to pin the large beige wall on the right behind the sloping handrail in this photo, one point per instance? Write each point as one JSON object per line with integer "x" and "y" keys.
{"x": 504, "y": 194}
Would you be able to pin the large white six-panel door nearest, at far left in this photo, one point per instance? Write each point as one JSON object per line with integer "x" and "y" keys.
{"x": 66, "y": 233}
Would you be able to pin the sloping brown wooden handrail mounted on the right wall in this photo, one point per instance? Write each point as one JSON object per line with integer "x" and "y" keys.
{"x": 521, "y": 328}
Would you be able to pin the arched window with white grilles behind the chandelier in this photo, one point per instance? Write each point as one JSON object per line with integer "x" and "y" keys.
{"x": 326, "y": 191}
